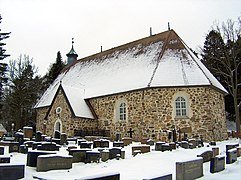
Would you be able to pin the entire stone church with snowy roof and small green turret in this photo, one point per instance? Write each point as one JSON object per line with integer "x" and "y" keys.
{"x": 144, "y": 88}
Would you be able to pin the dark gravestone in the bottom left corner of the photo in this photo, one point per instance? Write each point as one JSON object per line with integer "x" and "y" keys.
{"x": 11, "y": 172}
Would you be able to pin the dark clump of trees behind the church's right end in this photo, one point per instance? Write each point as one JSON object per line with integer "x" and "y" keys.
{"x": 221, "y": 55}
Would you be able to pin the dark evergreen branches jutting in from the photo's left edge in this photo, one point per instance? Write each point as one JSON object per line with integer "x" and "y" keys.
{"x": 3, "y": 66}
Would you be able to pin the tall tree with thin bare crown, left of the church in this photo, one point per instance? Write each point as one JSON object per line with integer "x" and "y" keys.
{"x": 23, "y": 92}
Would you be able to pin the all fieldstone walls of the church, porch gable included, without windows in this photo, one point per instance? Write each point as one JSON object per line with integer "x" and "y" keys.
{"x": 149, "y": 112}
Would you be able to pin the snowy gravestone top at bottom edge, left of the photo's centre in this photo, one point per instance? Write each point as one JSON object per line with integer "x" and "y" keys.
{"x": 105, "y": 176}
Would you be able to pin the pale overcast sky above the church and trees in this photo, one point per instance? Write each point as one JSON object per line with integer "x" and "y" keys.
{"x": 41, "y": 28}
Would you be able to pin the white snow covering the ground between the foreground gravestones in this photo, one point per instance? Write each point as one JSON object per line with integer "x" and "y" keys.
{"x": 139, "y": 167}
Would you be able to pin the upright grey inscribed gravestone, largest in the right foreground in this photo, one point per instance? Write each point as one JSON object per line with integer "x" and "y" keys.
{"x": 191, "y": 169}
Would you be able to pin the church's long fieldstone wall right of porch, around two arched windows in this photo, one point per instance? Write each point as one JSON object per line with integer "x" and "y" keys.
{"x": 151, "y": 113}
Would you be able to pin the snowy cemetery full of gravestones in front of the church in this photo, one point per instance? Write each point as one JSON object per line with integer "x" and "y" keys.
{"x": 44, "y": 155}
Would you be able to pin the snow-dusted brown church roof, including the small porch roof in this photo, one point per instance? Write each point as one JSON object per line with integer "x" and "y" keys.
{"x": 161, "y": 60}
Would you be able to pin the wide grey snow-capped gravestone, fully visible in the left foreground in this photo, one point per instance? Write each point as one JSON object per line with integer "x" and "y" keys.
{"x": 53, "y": 162}
